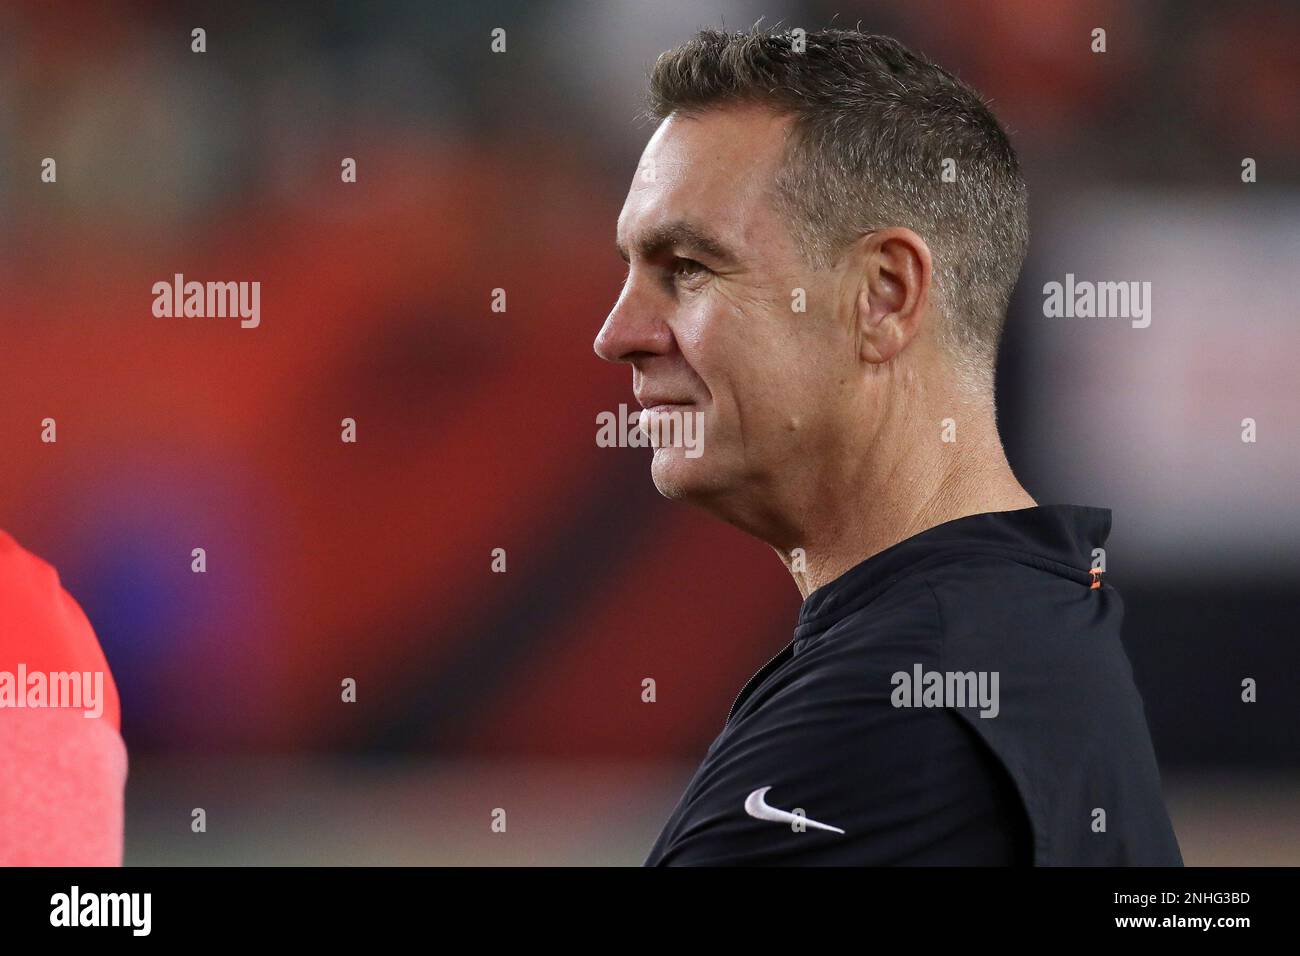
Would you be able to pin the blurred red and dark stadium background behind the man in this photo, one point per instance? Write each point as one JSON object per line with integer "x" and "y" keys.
{"x": 482, "y": 171}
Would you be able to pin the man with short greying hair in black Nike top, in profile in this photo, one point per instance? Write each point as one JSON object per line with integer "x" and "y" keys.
{"x": 822, "y": 243}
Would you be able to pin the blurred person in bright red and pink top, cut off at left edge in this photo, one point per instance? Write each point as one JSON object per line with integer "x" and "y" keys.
{"x": 63, "y": 763}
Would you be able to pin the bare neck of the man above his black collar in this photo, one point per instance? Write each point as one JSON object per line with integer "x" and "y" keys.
{"x": 900, "y": 490}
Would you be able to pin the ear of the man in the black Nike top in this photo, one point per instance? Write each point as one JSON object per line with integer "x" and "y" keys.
{"x": 894, "y": 293}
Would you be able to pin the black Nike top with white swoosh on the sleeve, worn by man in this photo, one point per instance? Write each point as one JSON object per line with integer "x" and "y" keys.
{"x": 856, "y": 745}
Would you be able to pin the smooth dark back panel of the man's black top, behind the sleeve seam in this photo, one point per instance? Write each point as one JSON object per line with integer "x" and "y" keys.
{"x": 1071, "y": 725}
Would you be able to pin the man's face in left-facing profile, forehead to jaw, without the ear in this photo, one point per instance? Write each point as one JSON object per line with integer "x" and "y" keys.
{"x": 710, "y": 322}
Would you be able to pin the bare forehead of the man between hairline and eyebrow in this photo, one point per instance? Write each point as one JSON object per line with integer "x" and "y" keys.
{"x": 713, "y": 170}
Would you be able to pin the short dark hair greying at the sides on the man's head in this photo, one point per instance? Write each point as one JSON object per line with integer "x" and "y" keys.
{"x": 873, "y": 127}
